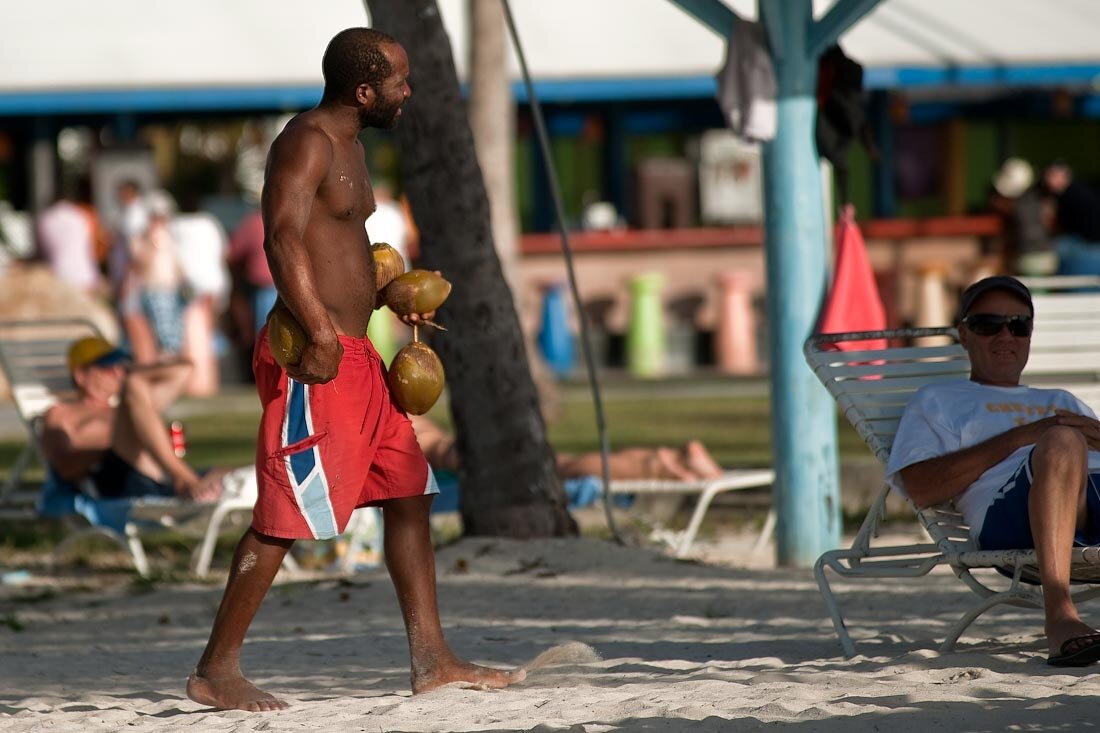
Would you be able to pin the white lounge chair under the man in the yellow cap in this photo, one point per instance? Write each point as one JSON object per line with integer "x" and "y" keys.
{"x": 35, "y": 359}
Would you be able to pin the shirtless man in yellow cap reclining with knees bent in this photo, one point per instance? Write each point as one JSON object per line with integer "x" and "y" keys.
{"x": 113, "y": 433}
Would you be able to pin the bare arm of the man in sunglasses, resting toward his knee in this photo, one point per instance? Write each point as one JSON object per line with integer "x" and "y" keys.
{"x": 940, "y": 479}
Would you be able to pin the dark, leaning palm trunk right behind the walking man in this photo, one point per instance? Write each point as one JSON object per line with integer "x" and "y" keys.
{"x": 510, "y": 487}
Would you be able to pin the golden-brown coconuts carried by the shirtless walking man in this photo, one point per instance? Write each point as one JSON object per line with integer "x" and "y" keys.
{"x": 416, "y": 374}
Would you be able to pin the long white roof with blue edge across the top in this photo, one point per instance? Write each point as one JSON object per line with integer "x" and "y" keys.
{"x": 252, "y": 53}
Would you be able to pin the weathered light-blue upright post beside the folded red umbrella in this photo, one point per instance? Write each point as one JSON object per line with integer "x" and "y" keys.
{"x": 804, "y": 417}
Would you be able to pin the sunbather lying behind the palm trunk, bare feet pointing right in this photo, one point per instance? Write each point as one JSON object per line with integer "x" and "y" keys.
{"x": 690, "y": 463}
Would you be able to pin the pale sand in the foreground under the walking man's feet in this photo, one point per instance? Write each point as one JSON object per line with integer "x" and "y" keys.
{"x": 640, "y": 642}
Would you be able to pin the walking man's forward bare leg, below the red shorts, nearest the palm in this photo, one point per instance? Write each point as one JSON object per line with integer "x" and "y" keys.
{"x": 412, "y": 565}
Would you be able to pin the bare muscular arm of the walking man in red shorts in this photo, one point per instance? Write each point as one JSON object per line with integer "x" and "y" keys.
{"x": 300, "y": 162}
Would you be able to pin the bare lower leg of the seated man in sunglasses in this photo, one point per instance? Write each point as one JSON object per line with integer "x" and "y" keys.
{"x": 1057, "y": 507}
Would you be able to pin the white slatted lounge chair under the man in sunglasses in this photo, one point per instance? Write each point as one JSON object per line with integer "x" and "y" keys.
{"x": 872, "y": 389}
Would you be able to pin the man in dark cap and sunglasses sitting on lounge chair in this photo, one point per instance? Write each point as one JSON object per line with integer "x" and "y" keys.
{"x": 1020, "y": 464}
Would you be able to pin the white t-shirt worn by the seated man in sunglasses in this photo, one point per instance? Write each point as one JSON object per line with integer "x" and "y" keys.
{"x": 948, "y": 418}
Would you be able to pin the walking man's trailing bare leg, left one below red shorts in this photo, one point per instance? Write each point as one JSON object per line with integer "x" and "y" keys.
{"x": 217, "y": 681}
